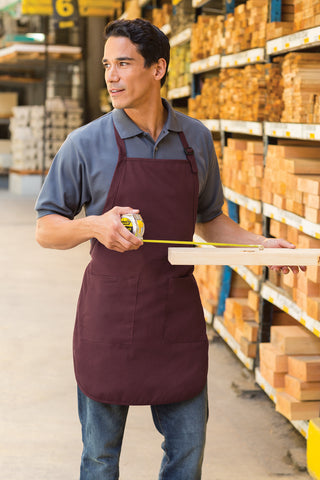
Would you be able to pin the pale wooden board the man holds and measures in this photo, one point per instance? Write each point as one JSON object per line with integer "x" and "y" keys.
{"x": 240, "y": 256}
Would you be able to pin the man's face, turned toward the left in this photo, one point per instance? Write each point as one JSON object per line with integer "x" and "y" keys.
{"x": 128, "y": 81}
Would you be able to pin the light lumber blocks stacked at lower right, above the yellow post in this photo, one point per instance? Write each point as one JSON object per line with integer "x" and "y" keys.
{"x": 291, "y": 364}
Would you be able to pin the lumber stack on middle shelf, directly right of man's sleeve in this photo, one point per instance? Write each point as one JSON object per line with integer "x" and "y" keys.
{"x": 242, "y": 169}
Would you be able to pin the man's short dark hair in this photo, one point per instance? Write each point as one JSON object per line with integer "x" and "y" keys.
{"x": 150, "y": 41}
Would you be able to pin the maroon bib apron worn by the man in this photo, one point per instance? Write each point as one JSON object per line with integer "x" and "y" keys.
{"x": 140, "y": 336}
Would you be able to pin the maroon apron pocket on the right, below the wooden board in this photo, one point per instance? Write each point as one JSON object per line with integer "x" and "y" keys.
{"x": 185, "y": 319}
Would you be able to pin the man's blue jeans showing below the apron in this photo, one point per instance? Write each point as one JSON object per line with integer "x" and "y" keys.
{"x": 183, "y": 426}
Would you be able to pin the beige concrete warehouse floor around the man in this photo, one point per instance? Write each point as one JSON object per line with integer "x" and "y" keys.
{"x": 39, "y": 429}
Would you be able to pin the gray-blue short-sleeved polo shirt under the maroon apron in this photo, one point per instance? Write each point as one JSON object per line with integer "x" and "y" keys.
{"x": 82, "y": 170}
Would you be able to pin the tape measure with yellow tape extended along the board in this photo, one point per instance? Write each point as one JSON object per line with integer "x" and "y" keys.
{"x": 135, "y": 224}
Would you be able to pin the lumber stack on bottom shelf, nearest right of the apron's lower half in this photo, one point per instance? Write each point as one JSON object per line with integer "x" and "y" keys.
{"x": 242, "y": 321}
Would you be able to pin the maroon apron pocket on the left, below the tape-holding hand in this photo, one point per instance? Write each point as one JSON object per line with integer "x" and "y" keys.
{"x": 106, "y": 308}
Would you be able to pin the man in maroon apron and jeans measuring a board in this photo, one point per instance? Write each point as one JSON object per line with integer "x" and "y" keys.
{"x": 140, "y": 334}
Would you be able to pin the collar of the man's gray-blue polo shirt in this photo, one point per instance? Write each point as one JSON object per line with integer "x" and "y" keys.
{"x": 127, "y": 128}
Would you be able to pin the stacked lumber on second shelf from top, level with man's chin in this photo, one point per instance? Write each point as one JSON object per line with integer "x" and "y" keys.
{"x": 252, "y": 93}
